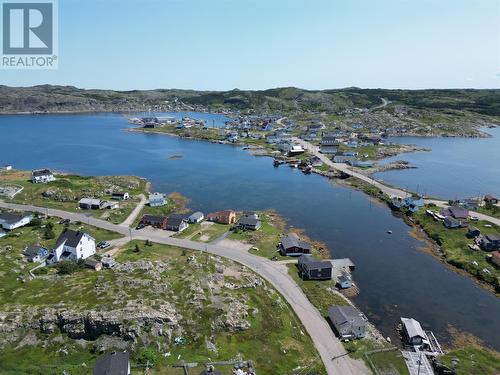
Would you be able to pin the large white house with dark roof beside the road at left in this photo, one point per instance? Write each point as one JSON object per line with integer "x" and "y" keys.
{"x": 72, "y": 245}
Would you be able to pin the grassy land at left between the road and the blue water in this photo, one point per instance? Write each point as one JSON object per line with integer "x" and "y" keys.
{"x": 67, "y": 190}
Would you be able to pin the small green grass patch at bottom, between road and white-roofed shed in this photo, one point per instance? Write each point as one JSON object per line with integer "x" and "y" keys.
{"x": 385, "y": 362}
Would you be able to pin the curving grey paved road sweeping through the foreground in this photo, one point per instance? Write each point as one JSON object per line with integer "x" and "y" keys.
{"x": 323, "y": 337}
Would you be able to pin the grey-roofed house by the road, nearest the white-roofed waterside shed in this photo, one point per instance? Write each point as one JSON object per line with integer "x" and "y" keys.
{"x": 348, "y": 322}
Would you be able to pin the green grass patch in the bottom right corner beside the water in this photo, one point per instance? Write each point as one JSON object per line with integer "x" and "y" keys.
{"x": 473, "y": 360}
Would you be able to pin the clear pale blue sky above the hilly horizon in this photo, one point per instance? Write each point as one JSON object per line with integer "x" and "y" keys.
{"x": 260, "y": 44}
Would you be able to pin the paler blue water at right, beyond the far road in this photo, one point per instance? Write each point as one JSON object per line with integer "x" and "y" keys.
{"x": 455, "y": 168}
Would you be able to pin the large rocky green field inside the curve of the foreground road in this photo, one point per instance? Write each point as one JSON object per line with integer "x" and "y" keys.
{"x": 275, "y": 339}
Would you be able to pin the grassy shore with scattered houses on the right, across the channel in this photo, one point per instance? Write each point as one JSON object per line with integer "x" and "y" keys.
{"x": 454, "y": 245}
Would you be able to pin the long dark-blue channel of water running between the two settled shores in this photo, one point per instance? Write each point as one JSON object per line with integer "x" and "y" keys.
{"x": 395, "y": 278}
